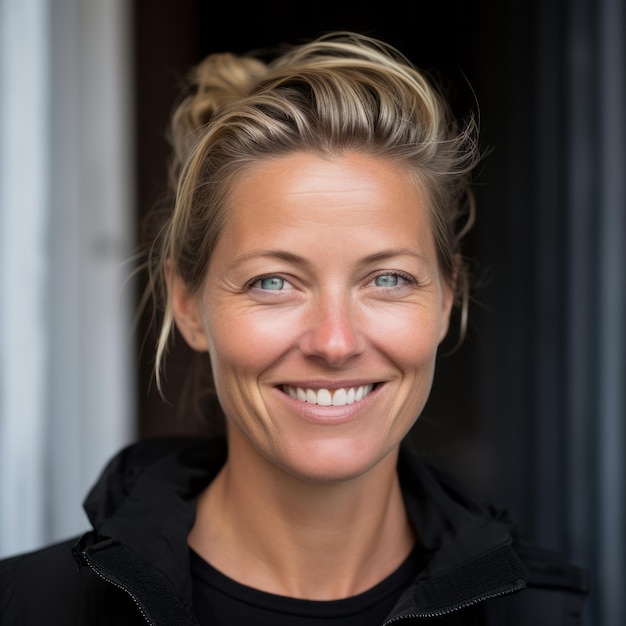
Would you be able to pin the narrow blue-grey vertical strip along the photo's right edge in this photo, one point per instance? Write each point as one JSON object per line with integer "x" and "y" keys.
{"x": 611, "y": 208}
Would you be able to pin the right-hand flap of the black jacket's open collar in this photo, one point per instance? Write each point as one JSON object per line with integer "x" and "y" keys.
{"x": 468, "y": 542}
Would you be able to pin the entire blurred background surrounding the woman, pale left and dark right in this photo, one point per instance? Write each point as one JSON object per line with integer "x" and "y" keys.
{"x": 530, "y": 410}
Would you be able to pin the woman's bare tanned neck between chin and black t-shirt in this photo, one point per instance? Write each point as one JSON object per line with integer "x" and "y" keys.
{"x": 320, "y": 541}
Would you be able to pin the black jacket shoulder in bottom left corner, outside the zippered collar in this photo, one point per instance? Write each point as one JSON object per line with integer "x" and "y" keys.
{"x": 46, "y": 586}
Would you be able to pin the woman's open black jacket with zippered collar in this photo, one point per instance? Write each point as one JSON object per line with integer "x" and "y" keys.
{"x": 133, "y": 568}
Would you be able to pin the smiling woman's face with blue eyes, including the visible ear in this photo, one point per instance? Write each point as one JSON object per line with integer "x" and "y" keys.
{"x": 322, "y": 312}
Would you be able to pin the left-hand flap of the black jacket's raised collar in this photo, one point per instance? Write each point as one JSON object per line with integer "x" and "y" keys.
{"x": 142, "y": 509}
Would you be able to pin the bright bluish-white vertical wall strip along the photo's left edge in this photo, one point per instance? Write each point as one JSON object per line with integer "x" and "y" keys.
{"x": 24, "y": 208}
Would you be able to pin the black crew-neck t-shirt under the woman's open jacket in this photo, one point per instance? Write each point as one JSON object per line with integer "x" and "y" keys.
{"x": 221, "y": 601}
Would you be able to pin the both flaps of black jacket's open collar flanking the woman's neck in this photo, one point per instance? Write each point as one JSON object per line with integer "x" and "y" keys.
{"x": 143, "y": 508}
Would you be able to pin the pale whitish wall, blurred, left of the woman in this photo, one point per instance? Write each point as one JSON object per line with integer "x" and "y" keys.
{"x": 66, "y": 228}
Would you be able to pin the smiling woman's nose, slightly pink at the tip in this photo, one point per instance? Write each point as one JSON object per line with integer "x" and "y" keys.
{"x": 332, "y": 332}
